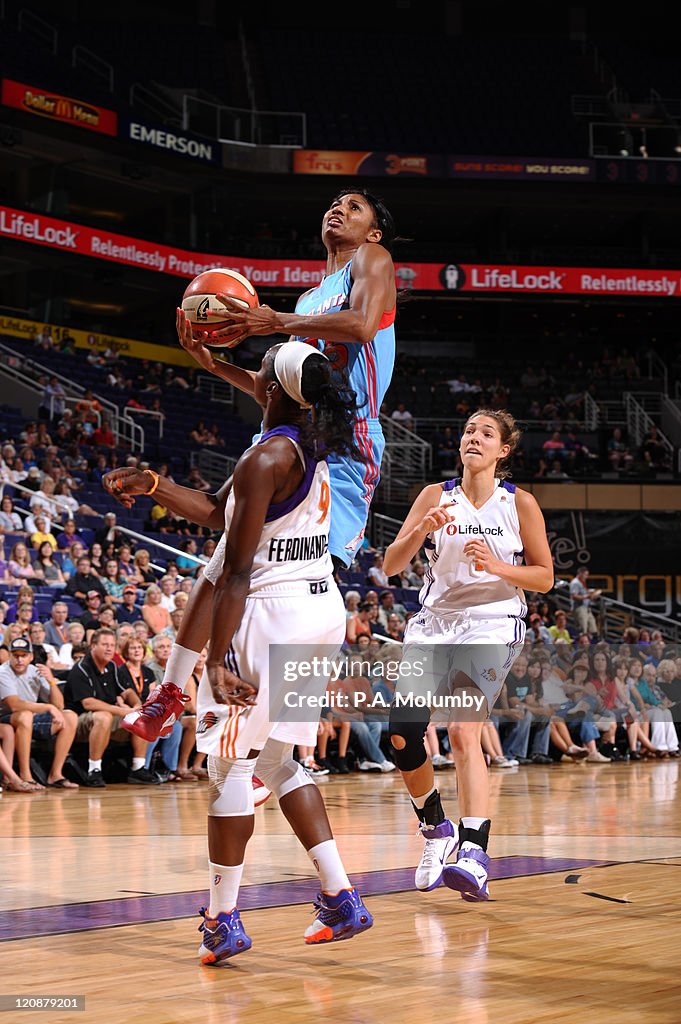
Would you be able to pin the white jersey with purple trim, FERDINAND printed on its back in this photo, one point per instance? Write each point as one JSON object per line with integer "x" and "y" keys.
{"x": 294, "y": 543}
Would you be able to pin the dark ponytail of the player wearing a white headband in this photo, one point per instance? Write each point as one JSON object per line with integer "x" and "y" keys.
{"x": 334, "y": 413}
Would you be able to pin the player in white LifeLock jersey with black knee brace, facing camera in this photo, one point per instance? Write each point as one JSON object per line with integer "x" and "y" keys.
{"x": 486, "y": 542}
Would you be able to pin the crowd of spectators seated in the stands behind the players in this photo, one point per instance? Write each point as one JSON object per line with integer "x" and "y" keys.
{"x": 88, "y": 617}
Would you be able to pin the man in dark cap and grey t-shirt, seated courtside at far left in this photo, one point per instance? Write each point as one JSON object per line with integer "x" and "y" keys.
{"x": 35, "y": 707}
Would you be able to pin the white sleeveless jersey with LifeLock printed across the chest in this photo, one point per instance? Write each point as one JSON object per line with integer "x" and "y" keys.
{"x": 453, "y": 582}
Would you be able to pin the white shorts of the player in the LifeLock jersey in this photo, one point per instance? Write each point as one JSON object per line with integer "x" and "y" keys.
{"x": 483, "y": 650}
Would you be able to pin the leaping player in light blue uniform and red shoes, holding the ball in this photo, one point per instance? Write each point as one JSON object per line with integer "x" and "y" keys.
{"x": 351, "y": 318}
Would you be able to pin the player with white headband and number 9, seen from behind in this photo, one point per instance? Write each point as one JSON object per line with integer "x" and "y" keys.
{"x": 274, "y": 583}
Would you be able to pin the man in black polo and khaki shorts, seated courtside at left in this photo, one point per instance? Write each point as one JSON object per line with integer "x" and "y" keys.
{"x": 102, "y": 700}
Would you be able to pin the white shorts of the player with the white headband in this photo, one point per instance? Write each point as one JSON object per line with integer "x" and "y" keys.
{"x": 306, "y": 622}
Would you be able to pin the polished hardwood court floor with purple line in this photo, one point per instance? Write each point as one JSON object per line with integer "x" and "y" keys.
{"x": 102, "y": 890}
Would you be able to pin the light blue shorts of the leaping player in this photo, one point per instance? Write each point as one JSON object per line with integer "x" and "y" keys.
{"x": 353, "y": 487}
